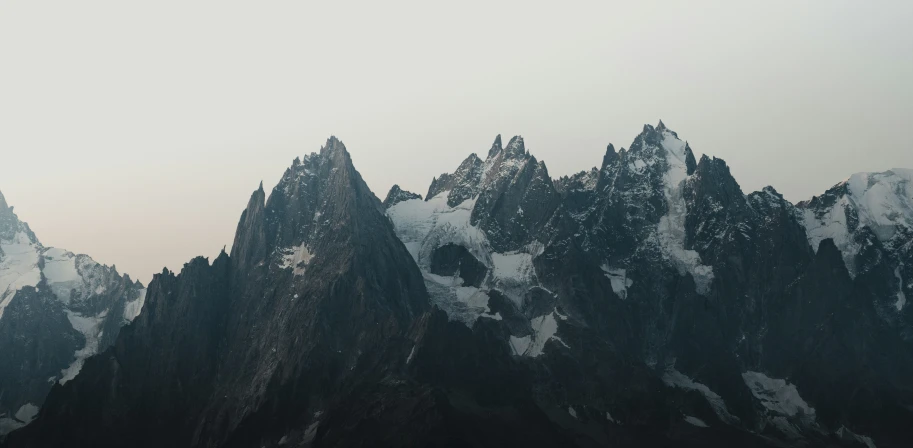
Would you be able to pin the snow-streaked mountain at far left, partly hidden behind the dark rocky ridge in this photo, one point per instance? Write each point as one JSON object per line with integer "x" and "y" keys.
{"x": 56, "y": 309}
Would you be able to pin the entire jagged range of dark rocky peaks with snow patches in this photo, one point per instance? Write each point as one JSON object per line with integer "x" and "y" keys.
{"x": 647, "y": 301}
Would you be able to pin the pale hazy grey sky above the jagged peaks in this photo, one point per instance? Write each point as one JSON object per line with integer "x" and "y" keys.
{"x": 135, "y": 131}
